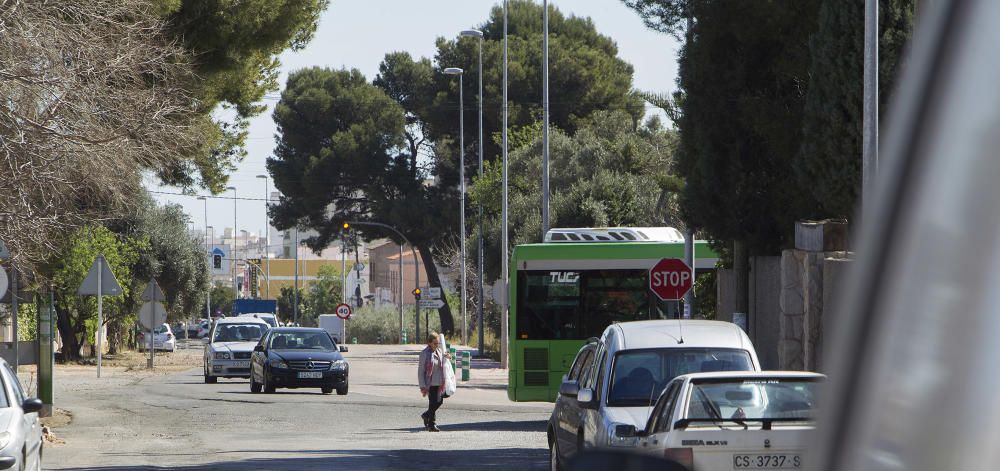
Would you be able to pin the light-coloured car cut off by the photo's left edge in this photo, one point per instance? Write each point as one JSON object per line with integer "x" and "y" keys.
{"x": 20, "y": 431}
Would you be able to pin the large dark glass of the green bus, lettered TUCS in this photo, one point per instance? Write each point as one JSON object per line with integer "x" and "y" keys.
{"x": 575, "y": 305}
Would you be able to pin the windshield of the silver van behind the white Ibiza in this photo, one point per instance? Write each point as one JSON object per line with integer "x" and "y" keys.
{"x": 640, "y": 375}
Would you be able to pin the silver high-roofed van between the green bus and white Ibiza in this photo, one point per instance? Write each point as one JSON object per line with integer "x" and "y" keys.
{"x": 616, "y": 379}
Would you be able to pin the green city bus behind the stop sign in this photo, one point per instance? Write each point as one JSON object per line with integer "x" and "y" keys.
{"x": 572, "y": 286}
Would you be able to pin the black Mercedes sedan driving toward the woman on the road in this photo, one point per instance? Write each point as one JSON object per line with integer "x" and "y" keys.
{"x": 298, "y": 357}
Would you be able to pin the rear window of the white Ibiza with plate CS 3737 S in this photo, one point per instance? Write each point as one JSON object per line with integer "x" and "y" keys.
{"x": 750, "y": 399}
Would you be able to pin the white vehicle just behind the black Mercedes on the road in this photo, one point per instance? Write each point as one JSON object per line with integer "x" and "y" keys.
{"x": 229, "y": 345}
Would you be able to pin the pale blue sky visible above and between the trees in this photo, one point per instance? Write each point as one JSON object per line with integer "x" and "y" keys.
{"x": 358, "y": 33}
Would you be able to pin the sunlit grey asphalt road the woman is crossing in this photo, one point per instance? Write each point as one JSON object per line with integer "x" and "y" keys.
{"x": 171, "y": 419}
